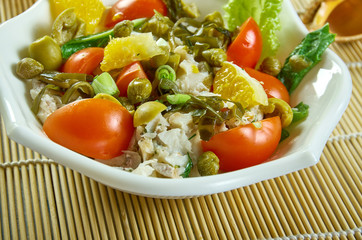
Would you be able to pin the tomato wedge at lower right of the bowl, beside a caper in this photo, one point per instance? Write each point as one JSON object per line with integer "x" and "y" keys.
{"x": 246, "y": 145}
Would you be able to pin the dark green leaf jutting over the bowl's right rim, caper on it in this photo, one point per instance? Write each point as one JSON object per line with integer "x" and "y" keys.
{"x": 304, "y": 57}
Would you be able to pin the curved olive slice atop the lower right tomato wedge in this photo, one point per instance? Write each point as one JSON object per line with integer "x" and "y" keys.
{"x": 278, "y": 107}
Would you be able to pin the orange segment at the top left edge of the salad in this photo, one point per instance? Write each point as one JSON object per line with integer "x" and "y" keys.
{"x": 90, "y": 11}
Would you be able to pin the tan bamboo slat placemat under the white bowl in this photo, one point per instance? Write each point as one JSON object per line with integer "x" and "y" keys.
{"x": 43, "y": 200}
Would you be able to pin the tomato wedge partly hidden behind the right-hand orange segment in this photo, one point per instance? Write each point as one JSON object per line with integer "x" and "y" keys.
{"x": 273, "y": 87}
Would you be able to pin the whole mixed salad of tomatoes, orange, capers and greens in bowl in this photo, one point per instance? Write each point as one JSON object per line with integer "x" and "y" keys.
{"x": 162, "y": 92}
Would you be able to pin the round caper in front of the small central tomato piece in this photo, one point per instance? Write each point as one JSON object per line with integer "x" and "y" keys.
{"x": 139, "y": 89}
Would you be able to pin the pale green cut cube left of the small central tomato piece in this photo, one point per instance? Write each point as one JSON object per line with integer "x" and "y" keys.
{"x": 104, "y": 83}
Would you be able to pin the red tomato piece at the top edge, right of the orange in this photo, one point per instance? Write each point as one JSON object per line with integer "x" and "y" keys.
{"x": 133, "y": 9}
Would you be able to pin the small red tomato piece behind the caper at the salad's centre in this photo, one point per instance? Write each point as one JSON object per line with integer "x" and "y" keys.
{"x": 128, "y": 73}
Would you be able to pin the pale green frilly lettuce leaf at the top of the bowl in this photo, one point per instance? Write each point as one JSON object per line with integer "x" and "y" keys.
{"x": 265, "y": 13}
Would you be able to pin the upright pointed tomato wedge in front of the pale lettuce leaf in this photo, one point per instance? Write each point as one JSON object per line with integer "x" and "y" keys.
{"x": 246, "y": 49}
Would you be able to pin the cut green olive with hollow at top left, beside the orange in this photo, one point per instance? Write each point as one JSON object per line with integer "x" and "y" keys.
{"x": 67, "y": 26}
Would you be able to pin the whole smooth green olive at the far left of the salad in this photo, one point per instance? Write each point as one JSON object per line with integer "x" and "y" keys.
{"x": 47, "y": 52}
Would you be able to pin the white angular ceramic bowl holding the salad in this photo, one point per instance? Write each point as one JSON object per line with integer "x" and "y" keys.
{"x": 326, "y": 89}
